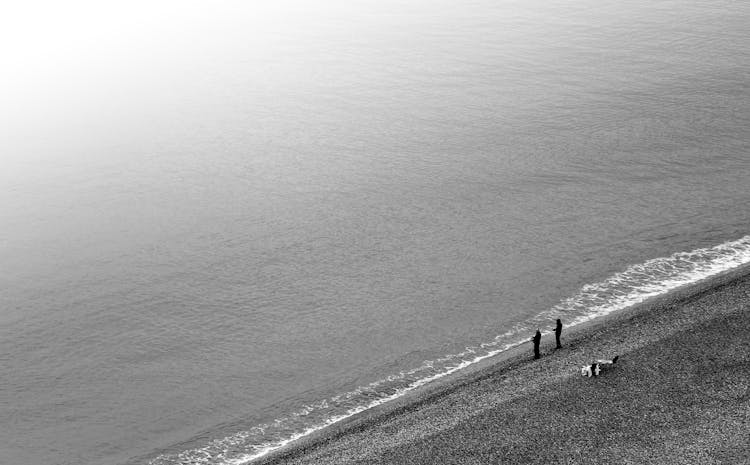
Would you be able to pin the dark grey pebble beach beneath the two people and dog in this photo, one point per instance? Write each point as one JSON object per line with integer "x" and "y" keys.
{"x": 680, "y": 393}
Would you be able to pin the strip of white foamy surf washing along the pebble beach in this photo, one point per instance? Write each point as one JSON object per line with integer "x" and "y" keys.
{"x": 621, "y": 290}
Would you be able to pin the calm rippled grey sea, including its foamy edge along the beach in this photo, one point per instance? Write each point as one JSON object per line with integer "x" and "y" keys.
{"x": 221, "y": 229}
